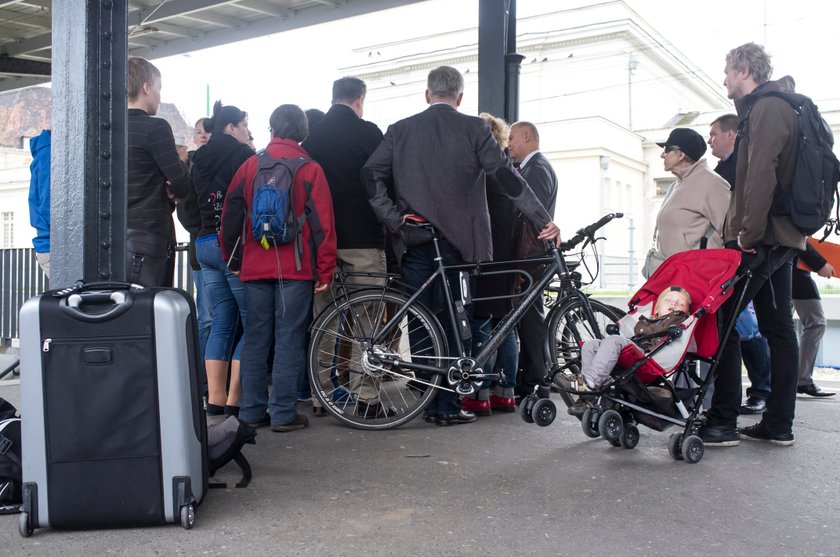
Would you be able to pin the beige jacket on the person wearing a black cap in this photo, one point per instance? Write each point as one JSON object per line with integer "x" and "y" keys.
{"x": 698, "y": 200}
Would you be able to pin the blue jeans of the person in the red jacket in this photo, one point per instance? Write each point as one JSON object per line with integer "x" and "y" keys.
{"x": 282, "y": 311}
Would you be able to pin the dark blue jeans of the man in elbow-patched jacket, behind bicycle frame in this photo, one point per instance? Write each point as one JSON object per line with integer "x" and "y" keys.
{"x": 418, "y": 264}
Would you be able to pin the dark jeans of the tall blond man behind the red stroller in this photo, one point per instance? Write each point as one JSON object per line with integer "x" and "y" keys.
{"x": 770, "y": 290}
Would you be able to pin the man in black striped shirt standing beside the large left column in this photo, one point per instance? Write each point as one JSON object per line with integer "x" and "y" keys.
{"x": 156, "y": 178}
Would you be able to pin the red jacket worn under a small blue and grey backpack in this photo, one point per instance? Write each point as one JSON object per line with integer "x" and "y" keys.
{"x": 257, "y": 263}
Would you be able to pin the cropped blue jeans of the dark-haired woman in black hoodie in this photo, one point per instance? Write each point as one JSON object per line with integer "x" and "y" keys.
{"x": 227, "y": 301}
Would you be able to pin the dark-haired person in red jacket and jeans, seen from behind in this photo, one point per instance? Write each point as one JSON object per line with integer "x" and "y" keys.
{"x": 280, "y": 279}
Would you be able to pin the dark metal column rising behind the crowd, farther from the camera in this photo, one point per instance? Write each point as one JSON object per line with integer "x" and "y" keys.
{"x": 498, "y": 63}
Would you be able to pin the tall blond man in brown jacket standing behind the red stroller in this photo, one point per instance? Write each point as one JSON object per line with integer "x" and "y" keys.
{"x": 768, "y": 239}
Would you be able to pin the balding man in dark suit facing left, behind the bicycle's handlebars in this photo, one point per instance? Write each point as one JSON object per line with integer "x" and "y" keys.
{"x": 534, "y": 167}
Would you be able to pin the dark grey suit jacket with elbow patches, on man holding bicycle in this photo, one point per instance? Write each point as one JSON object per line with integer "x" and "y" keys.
{"x": 438, "y": 160}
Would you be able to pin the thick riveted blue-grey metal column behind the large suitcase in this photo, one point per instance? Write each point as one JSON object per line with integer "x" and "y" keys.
{"x": 89, "y": 153}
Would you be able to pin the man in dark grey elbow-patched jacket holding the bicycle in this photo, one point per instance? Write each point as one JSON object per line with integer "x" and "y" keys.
{"x": 438, "y": 160}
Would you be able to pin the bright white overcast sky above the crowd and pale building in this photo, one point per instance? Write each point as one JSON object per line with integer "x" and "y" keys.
{"x": 801, "y": 36}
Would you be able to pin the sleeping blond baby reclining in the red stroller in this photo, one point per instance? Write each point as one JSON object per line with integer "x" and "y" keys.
{"x": 599, "y": 356}
